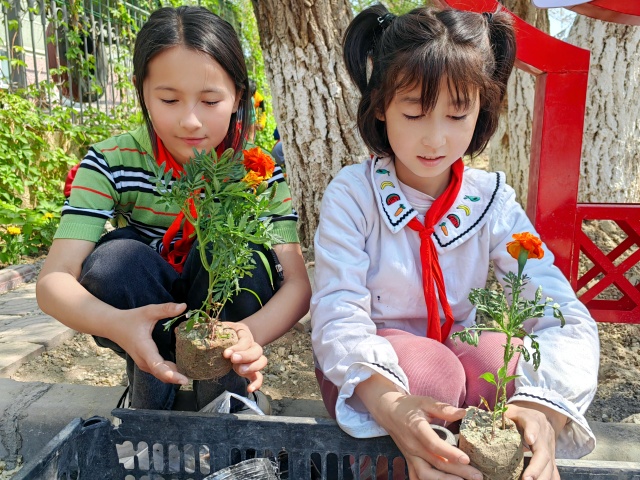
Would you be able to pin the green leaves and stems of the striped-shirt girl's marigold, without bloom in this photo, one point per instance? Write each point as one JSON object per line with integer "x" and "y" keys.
{"x": 228, "y": 217}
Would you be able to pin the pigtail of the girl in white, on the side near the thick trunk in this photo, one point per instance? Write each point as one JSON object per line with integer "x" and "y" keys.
{"x": 359, "y": 42}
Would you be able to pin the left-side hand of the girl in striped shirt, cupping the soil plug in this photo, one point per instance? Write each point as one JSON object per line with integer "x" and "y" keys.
{"x": 133, "y": 334}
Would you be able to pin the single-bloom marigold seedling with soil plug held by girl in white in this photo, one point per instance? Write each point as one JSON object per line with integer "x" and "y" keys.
{"x": 488, "y": 437}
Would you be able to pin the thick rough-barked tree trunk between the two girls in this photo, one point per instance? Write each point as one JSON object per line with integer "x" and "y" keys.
{"x": 314, "y": 100}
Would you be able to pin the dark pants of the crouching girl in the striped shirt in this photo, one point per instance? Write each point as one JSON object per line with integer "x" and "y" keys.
{"x": 126, "y": 273}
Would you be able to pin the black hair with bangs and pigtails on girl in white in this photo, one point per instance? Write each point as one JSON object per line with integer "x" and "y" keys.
{"x": 474, "y": 52}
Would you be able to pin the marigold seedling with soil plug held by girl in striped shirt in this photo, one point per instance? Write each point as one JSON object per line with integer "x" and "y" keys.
{"x": 226, "y": 200}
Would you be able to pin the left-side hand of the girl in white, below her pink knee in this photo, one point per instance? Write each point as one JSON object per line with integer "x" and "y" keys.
{"x": 407, "y": 419}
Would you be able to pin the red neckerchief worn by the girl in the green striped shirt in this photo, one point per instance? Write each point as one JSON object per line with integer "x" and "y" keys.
{"x": 176, "y": 253}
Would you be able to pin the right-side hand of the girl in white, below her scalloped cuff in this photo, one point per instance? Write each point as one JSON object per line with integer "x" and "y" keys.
{"x": 539, "y": 426}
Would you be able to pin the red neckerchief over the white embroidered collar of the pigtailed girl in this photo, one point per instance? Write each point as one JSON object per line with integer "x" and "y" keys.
{"x": 431, "y": 272}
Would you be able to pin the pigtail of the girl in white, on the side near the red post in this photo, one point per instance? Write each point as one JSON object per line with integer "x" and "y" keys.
{"x": 503, "y": 44}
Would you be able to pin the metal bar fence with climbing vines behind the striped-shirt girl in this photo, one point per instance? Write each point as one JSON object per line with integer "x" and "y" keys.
{"x": 69, "y": 52}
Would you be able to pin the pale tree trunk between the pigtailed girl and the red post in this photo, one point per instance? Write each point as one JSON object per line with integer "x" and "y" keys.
{"x": 510, "y": 147}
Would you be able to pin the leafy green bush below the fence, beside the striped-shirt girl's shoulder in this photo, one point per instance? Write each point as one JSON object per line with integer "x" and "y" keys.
{"x": 37, "y": 150}
